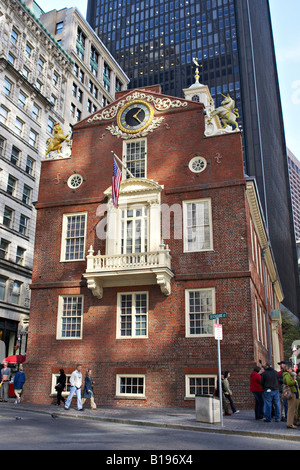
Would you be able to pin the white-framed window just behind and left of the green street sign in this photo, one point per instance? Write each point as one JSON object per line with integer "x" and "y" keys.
{"x": 199, "y": 304}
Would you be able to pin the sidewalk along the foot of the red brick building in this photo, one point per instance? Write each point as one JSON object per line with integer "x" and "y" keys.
{"x": 242, "y": 423}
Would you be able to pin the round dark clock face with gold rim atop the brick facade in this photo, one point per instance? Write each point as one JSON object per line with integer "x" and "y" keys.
{"x": 135, "y": 116}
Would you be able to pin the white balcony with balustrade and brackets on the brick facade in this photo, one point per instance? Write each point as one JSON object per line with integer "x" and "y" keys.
{"x": 131, "y": 269}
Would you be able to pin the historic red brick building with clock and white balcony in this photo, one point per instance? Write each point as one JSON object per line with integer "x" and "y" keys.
{"x": 128, "y": 291}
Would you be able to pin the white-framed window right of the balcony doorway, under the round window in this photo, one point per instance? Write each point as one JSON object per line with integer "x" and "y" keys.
{"x": 197, "y": 222}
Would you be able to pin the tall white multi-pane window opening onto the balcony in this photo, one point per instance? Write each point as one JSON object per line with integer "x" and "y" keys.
{"x": 134, "y": 230}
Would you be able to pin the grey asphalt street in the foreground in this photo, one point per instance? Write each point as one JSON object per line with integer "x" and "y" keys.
{"x": 25, "y": 430}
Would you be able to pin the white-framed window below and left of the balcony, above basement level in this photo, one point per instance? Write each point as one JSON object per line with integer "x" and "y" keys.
{"x": 70, "y": 317}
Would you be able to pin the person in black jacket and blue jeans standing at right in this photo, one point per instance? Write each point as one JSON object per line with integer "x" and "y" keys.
{"x": 270, "y": 384}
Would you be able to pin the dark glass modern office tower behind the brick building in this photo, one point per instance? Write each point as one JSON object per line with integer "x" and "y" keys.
{"x": 155, "y": 43}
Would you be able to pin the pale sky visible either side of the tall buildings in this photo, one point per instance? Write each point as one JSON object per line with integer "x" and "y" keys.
{"x": 285, "y": 21}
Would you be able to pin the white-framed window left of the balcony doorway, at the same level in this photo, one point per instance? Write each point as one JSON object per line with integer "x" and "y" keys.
{"x": 73, "y": 237}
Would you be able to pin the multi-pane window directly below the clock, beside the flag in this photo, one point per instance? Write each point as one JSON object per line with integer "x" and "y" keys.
{"x": 135, "y": 154}
